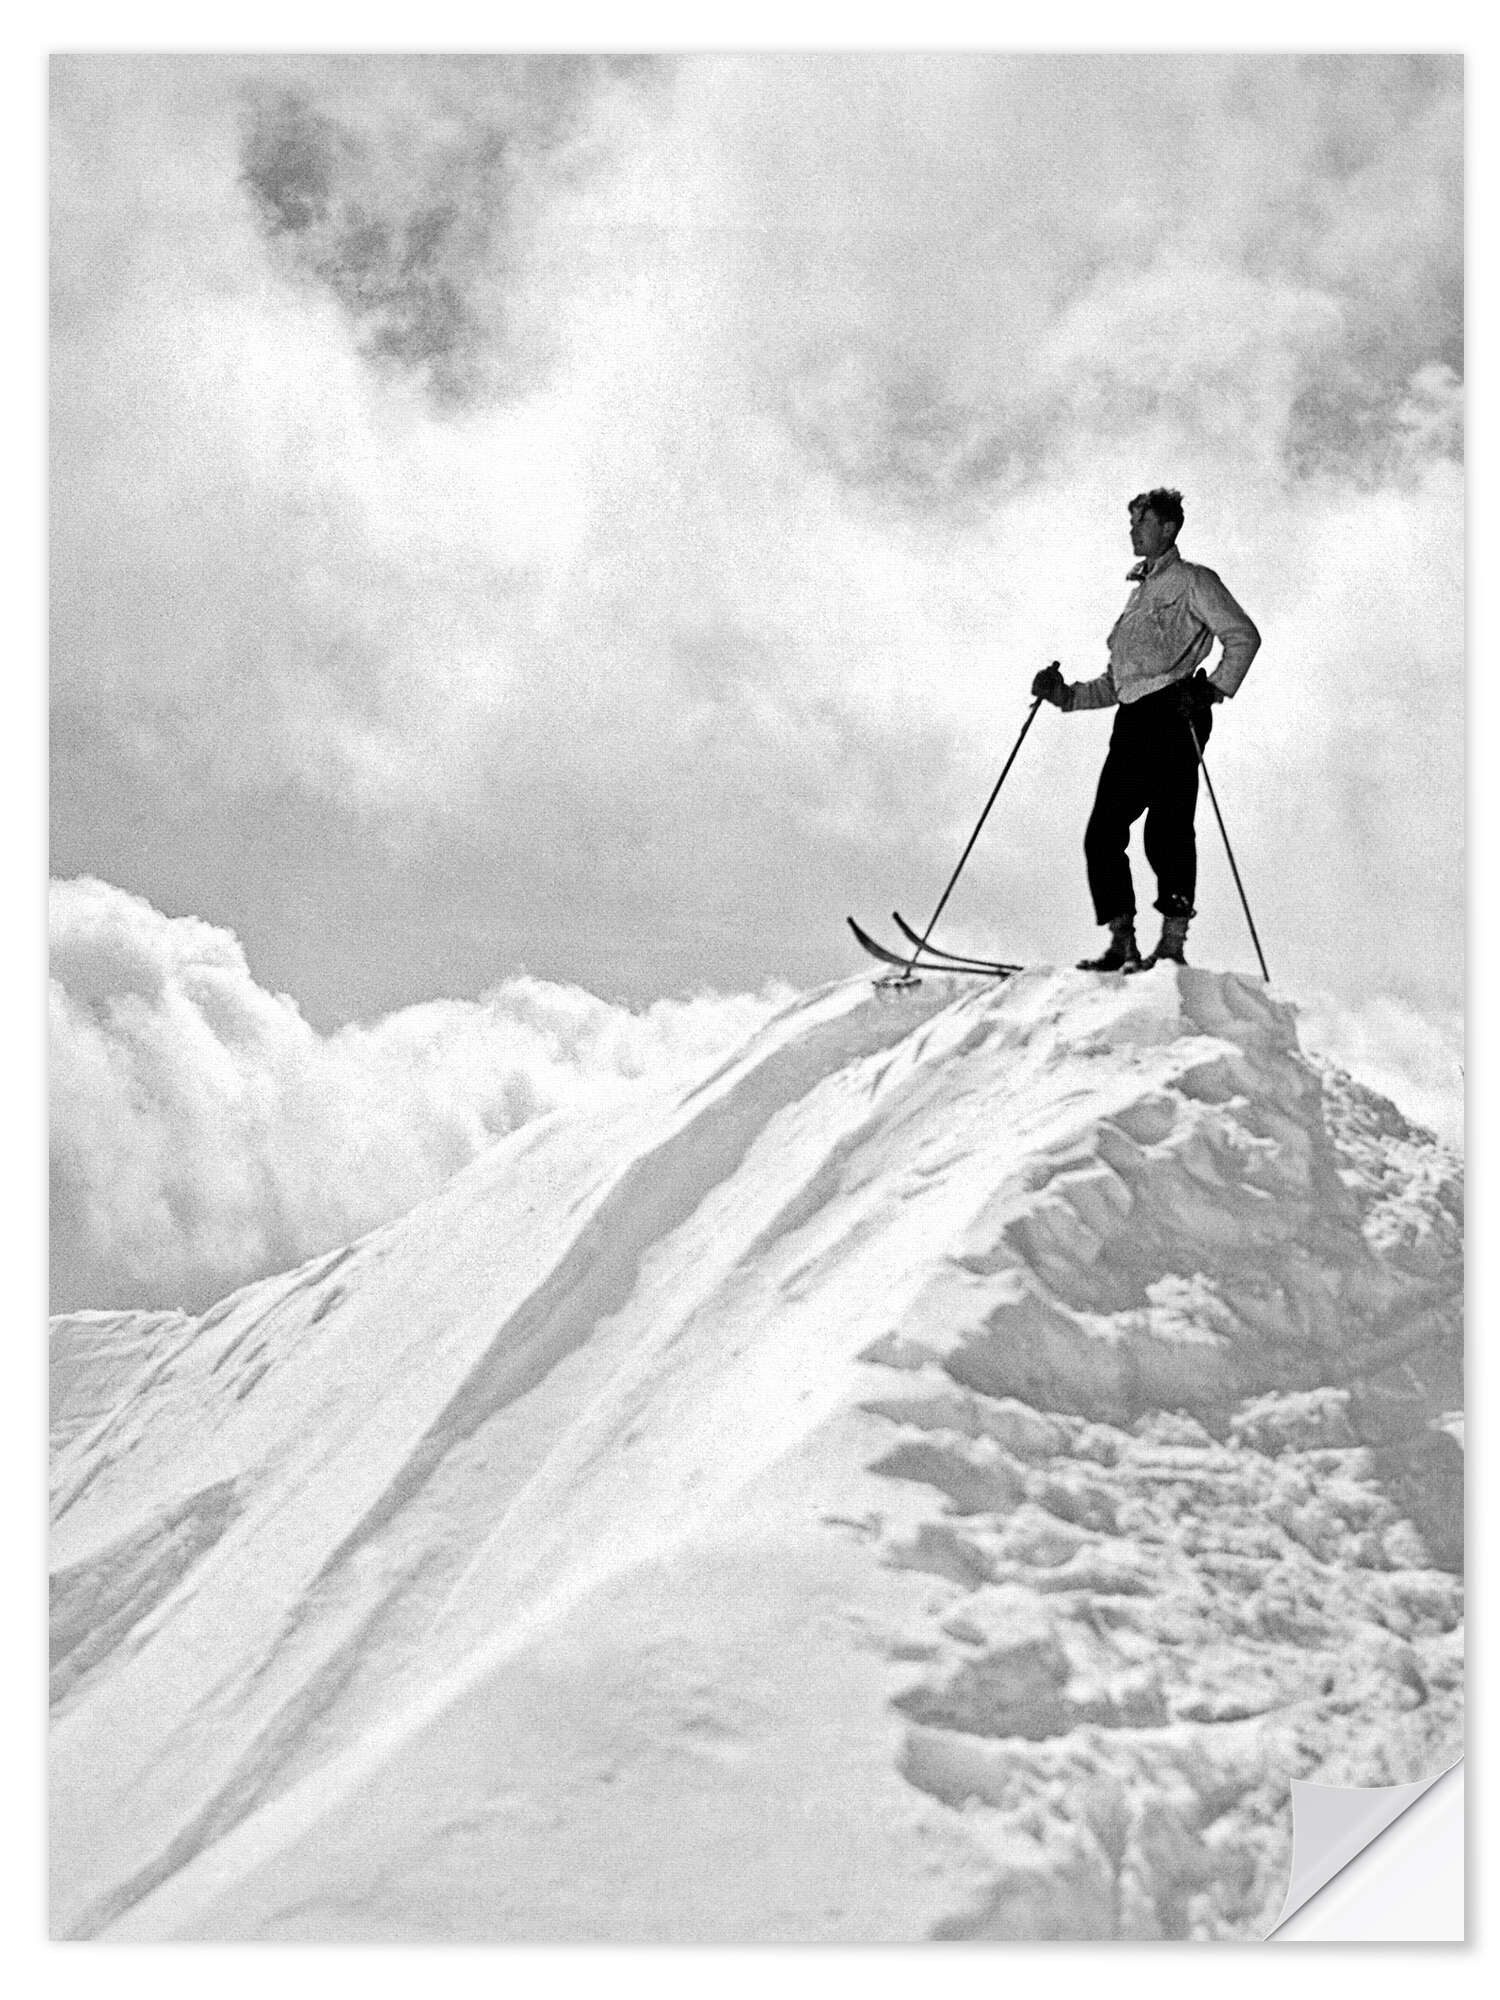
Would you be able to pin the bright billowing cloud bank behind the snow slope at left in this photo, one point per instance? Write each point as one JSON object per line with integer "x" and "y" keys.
{"x": 205, "y": 1135}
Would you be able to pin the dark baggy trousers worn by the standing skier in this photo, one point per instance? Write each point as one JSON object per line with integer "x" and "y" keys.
{"x": 1151, "y": 769}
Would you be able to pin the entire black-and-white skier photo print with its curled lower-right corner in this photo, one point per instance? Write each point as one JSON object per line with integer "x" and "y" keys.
{"x": 757, "y": 935}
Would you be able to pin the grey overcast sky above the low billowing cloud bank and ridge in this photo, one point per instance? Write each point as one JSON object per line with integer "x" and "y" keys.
{"x": 599, "y": 519}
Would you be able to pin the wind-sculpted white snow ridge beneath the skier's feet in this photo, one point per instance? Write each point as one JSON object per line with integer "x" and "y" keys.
{"x": 941, "y": 1477}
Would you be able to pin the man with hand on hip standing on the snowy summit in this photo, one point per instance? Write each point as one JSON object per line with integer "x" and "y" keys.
{"x": 1157, "y": 651}
